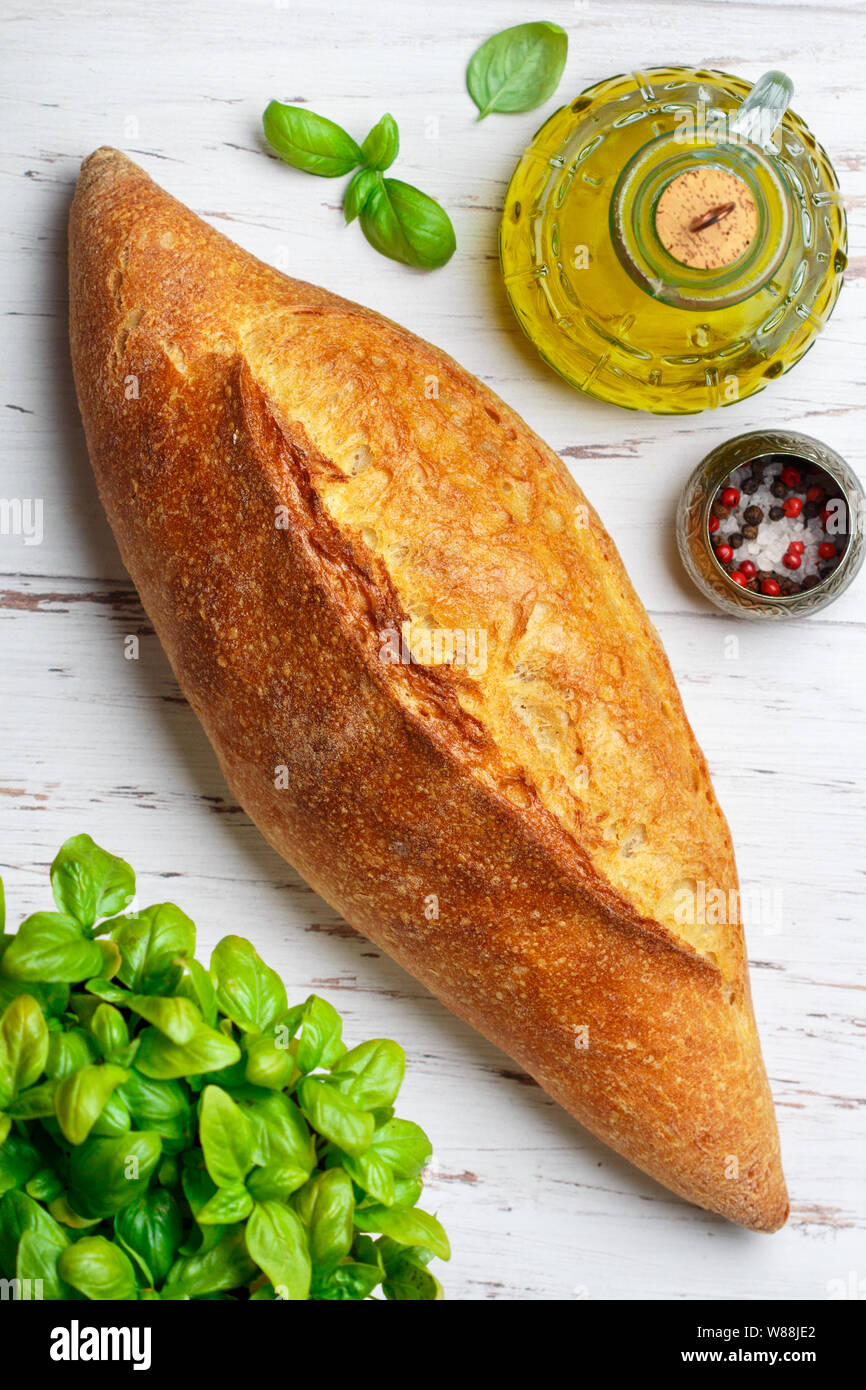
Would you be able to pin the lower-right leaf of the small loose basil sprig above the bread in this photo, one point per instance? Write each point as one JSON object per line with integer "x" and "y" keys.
{"x": 405, "y": 224}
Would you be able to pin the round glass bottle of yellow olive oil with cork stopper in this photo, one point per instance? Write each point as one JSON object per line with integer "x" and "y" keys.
{"x": 673, "y": 241}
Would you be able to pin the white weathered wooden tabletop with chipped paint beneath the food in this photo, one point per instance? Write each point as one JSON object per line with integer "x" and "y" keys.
{"x": 92, "y": 742}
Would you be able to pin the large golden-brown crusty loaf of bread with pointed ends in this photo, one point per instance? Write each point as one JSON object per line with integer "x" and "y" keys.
{"x": 427, "y": 678}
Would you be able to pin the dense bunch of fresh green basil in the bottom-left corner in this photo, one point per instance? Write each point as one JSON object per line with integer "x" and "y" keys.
{"x": 177, "y": 1132}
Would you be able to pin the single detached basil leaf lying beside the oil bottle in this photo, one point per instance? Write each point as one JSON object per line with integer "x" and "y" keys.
{"x": 518, "y": 69}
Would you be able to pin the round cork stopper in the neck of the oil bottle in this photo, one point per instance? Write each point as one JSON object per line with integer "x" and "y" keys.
{"x": 707, "y": 219}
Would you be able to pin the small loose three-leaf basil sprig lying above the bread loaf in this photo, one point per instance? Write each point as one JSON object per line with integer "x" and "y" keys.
{"x": 397, "y": 219}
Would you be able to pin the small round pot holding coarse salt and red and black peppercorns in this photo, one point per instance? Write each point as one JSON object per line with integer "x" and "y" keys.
{"x": 842, "y": 514}
